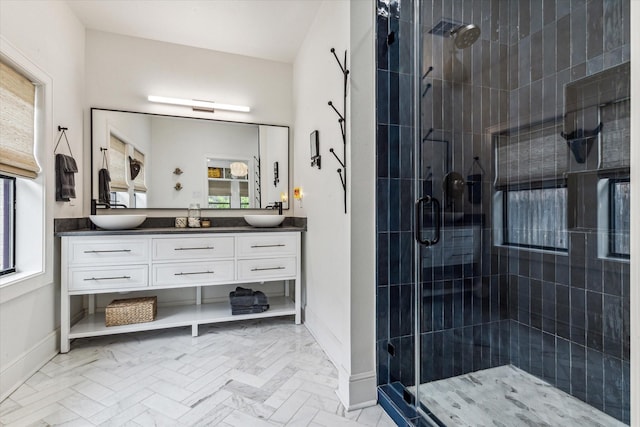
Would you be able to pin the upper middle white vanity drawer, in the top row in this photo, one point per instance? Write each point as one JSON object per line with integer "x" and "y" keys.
{"x": 192, "y": 248}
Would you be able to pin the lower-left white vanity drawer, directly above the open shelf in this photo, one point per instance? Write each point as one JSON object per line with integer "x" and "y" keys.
{"x": 104, "y": 279}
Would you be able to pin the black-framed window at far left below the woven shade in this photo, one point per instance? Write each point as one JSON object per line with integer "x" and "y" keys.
{"x": 7, "y": 220}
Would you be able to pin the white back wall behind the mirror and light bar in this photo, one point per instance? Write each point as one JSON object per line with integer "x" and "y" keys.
{"x": 122, "y": 71}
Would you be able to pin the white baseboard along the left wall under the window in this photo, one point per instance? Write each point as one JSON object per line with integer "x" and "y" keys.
{"x": 28, "y": 363}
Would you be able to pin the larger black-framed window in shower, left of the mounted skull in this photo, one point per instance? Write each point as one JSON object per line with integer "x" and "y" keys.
{"x": 535, "y": 218}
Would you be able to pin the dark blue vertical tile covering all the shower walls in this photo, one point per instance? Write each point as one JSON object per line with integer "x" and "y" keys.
{"x": 561, "y": 317}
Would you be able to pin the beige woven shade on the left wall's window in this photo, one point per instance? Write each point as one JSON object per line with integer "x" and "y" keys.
{"x": 17, "y": 118}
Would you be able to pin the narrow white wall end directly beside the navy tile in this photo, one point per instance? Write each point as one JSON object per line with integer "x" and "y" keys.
{"x": 360, "y": 389}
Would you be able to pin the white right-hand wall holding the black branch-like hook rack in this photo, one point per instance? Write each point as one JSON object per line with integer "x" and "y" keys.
{"x": 326, "y": 244}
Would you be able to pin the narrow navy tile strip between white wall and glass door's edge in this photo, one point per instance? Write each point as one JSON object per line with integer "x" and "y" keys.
{"x": 394, "y": 188}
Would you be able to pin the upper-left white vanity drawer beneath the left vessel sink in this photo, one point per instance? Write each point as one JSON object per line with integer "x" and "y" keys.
{"x": 108, "y": 251}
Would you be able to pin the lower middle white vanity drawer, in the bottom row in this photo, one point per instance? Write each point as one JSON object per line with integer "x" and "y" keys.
{"x": 193, "y": 273}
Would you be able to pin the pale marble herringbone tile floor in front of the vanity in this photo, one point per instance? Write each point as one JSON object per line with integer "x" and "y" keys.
{"x": 250, "y": 374}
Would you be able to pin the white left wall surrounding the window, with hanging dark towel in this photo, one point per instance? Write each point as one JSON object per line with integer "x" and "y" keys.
{"x": 48, "y": 35}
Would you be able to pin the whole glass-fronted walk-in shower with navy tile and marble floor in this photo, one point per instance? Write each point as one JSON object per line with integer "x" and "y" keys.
{"x": 503, "y": 211}
